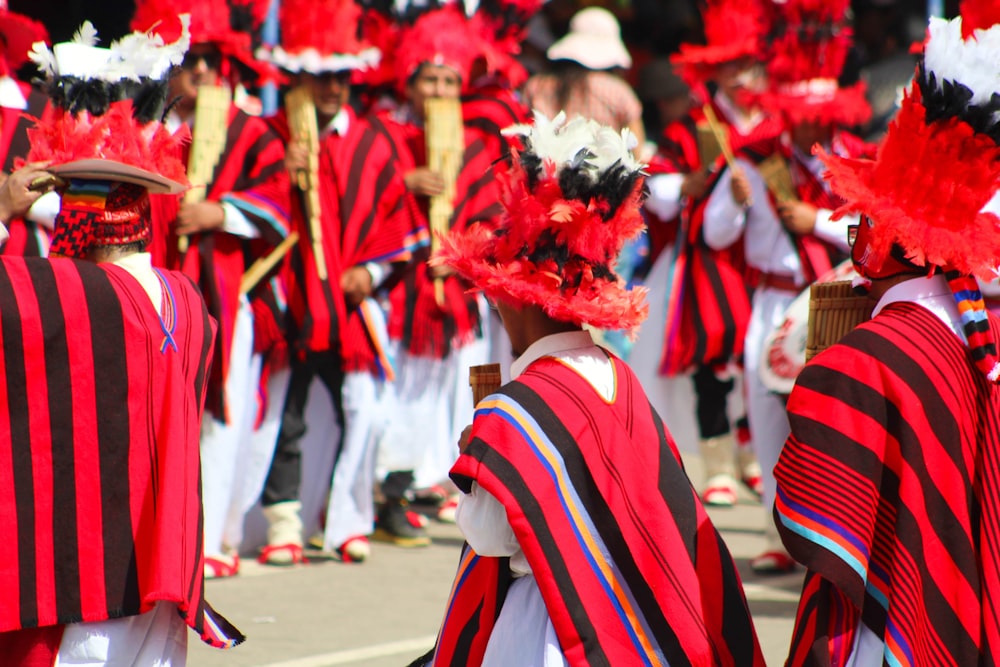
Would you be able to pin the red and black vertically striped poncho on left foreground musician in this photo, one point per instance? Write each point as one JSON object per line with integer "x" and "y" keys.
{"x": 100, "y": 493}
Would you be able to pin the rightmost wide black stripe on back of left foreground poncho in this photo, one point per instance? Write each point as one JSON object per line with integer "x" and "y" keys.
{"x": 114, "y": 434}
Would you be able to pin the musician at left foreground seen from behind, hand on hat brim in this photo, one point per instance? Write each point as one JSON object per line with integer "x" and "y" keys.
{"x": 104, "y": 363}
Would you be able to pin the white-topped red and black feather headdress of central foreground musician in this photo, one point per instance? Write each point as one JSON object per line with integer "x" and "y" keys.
{"x": 571, "y": 195}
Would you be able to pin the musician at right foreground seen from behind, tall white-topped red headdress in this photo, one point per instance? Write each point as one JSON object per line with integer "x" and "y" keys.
{"x": 889, "y": 484}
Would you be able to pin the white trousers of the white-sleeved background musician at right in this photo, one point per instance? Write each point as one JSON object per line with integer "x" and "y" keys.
{"x": 766, "y": 411}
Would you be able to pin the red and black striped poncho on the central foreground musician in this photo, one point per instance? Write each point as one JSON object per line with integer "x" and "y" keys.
{"x": 630, "y": 567}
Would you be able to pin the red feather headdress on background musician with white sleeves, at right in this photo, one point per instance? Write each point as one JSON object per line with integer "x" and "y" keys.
{"x": 810, "y": 40}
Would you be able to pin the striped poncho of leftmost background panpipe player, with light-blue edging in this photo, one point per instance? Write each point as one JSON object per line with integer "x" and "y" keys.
{"x": 250, "y": 175}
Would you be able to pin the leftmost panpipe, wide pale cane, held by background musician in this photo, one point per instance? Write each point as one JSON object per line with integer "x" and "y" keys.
{"x": 211, "y": 121}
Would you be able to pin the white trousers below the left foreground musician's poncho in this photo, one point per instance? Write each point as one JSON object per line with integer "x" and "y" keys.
{"x": 157, "y": 638}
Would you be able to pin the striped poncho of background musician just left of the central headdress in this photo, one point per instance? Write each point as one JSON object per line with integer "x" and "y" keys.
{"x": 415, "y": 319}
